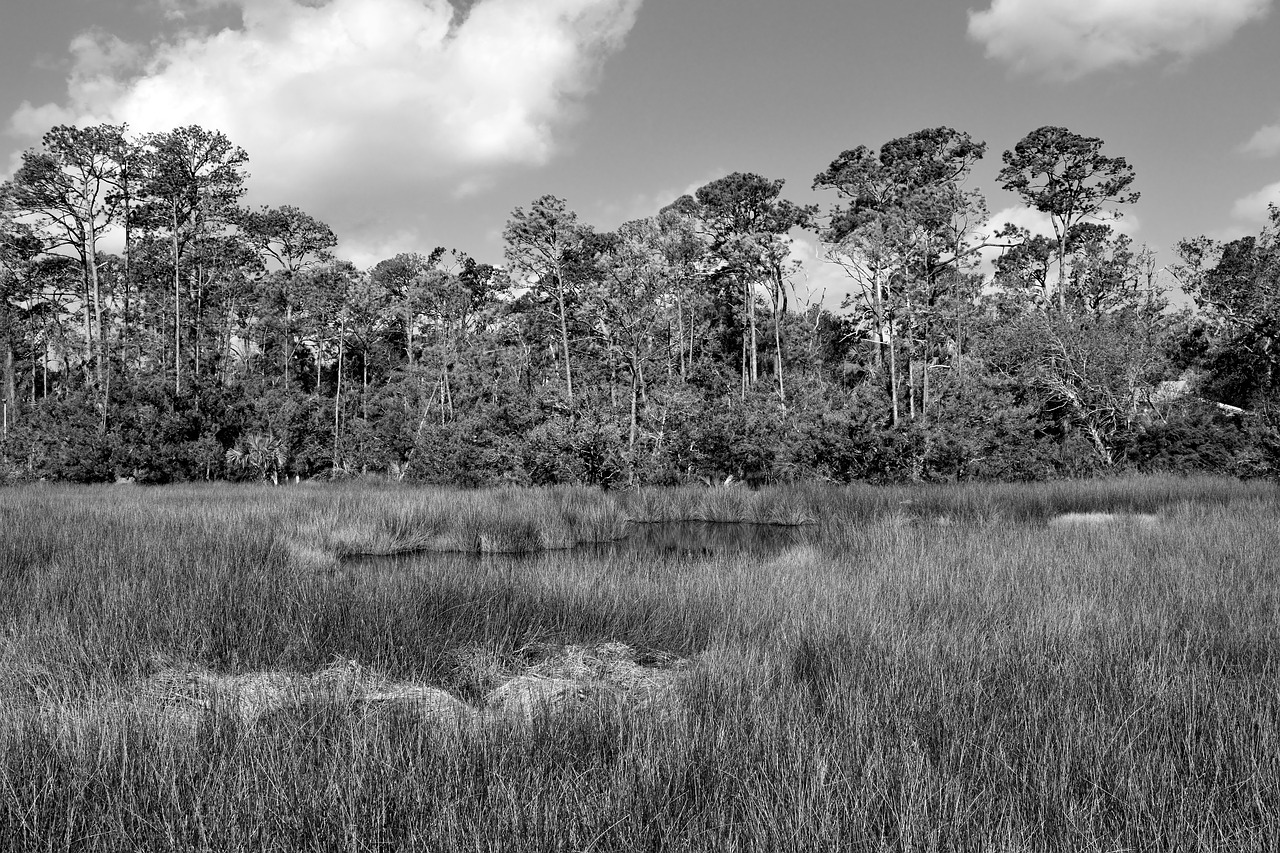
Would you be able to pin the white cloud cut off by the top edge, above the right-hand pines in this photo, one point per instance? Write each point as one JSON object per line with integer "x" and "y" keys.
{"x": 1069, "y": 39}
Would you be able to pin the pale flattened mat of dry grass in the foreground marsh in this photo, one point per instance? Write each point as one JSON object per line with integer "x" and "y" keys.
{"x": 534, "y": 682}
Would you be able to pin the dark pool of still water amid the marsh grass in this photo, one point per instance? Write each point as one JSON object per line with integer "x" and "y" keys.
{"x": 675, "y": 542}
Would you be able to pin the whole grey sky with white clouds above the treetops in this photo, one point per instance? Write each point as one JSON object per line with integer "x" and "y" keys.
{"x": 409, "y": 125}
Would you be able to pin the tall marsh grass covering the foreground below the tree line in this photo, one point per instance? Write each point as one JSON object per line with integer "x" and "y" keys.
{"x": 892, "y": 685}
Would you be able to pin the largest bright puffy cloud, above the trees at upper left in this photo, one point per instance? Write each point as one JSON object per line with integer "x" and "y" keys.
{"x": 359, "y": 111}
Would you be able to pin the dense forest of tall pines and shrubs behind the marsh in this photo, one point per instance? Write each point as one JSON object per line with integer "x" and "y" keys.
{"x": 226, "y": 343}
